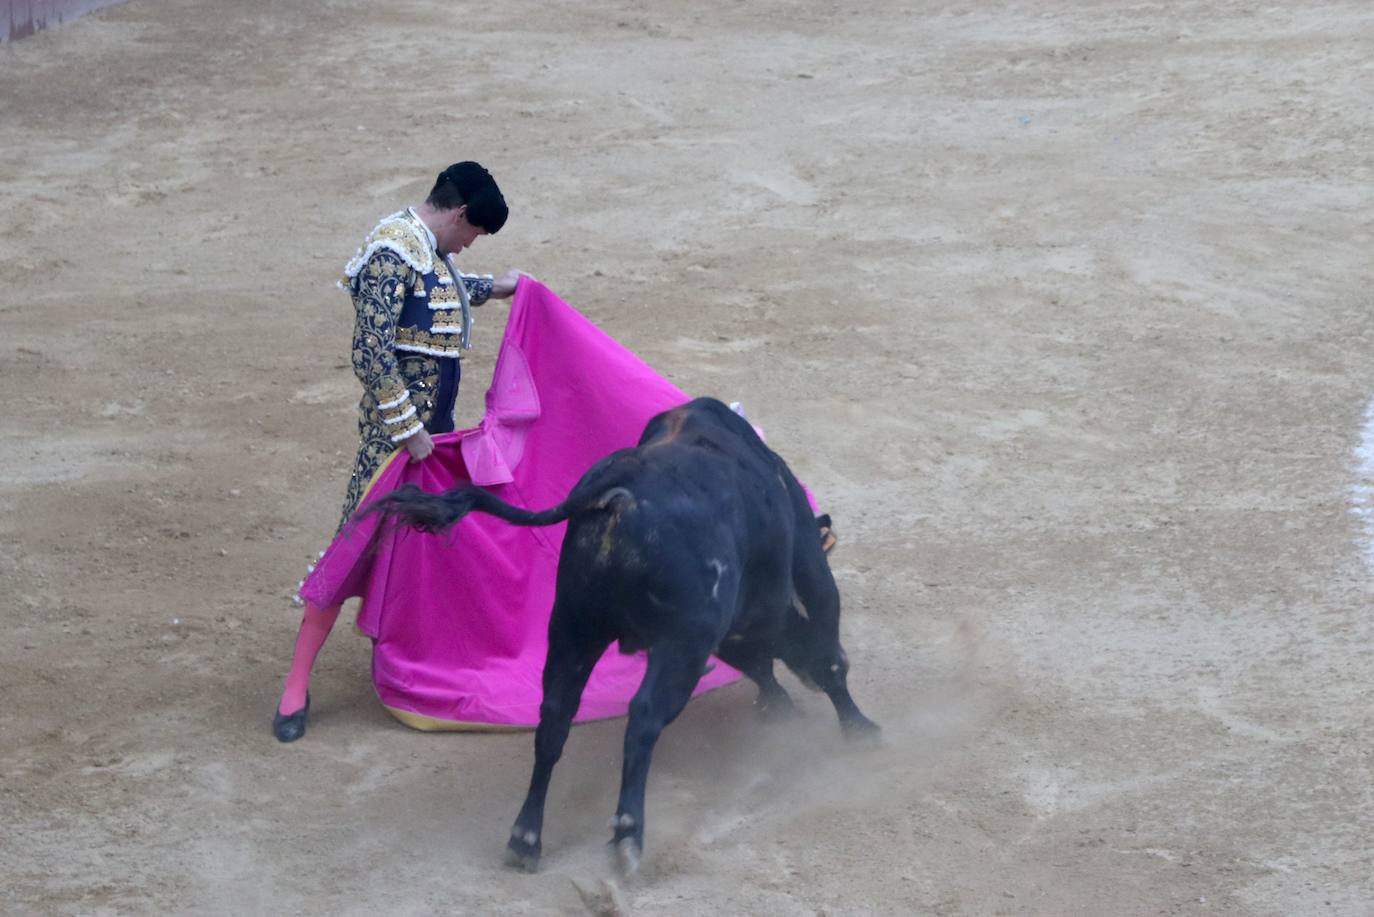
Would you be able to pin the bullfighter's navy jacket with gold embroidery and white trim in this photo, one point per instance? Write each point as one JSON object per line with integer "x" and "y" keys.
{"x": 406, "y": 305}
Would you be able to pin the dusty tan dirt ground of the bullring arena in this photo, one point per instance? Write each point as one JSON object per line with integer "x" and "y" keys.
{"x": 1060, "y": 307}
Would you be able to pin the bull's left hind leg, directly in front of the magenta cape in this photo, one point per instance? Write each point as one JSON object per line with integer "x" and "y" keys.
{"x": 567, "y": 669}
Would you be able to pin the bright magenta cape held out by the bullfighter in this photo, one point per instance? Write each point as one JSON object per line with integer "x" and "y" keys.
{"x": 460, "y": 621}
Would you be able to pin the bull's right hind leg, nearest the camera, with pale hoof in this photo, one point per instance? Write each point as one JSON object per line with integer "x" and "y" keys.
{"x": 675, "y": 665}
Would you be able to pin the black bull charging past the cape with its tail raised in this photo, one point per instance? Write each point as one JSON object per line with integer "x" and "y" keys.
{"x": 697, "y": 542}
